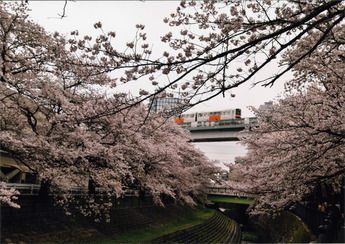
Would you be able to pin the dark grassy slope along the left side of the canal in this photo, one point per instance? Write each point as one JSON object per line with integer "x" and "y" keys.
{"x": 130, "y": 225}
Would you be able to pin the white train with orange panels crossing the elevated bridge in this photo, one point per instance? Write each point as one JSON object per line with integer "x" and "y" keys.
{"x": 208, "y": 116}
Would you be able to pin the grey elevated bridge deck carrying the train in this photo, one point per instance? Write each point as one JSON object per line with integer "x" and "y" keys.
{"x": 219, "y": 130}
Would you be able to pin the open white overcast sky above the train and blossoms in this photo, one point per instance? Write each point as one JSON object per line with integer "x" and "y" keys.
{"x": 121, "y": 17}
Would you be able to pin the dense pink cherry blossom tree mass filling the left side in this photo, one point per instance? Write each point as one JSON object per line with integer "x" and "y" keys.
{"x": 55, "y": 120}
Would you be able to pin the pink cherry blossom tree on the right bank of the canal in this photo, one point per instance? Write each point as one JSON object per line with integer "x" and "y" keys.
{"x": 300, "y": 141}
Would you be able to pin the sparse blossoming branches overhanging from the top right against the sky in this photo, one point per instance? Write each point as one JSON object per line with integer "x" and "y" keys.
{"x": 215, "y": 46}
